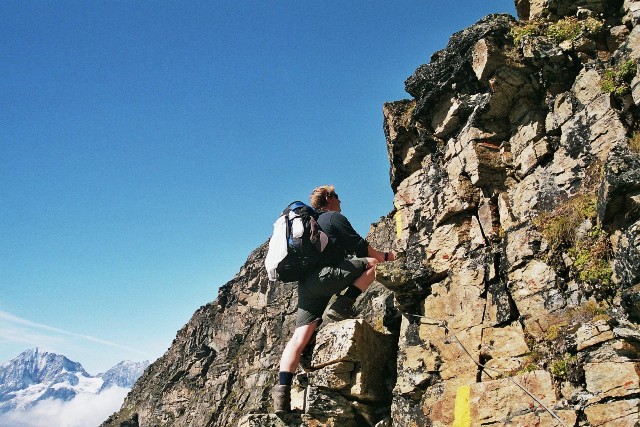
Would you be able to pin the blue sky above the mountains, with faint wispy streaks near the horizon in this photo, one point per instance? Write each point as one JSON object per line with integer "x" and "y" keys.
{"x": 146, "y": 148}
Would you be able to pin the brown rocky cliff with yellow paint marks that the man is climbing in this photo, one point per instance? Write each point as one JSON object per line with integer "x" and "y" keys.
{"x": 515, "y": 301}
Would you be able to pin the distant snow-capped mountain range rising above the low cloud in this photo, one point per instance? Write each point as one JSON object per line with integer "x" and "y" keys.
{"x": 36, "y": 375}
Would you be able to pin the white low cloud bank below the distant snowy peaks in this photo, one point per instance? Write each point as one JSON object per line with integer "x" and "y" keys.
{"x": 86, "y": 409}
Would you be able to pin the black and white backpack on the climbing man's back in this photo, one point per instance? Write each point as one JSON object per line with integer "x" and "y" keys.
{"x": 296, "y": 243}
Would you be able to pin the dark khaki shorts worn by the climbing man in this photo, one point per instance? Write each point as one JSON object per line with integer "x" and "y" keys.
{"x": 317, "y": 288}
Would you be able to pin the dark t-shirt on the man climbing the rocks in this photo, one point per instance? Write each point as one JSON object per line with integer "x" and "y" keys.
{"x": 343, "y": 239}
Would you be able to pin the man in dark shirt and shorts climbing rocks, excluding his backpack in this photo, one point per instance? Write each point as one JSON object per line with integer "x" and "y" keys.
{"x": 337, "y": 272}
